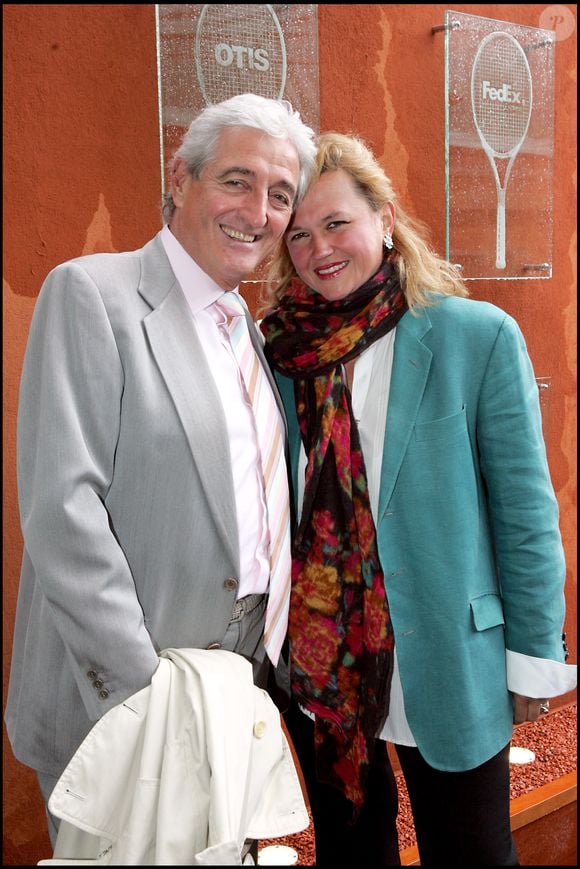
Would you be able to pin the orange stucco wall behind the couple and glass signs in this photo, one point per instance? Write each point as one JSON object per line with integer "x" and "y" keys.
{"x": 82, "y": 174}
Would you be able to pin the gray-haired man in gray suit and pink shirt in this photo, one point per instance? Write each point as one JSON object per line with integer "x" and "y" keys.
{"x": 140, "y": 484}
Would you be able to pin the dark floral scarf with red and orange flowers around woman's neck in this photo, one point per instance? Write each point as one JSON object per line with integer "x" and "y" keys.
{"x": 341, "y": 638}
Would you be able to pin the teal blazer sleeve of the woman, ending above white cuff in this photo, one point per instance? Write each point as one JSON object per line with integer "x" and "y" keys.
{"x": 523, "y": 506}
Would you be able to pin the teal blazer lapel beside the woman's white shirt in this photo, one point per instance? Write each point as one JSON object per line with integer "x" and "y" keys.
{"x": 411, "y": 364}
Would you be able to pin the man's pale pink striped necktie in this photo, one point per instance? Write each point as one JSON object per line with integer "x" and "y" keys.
{"x": 270, "y": 432}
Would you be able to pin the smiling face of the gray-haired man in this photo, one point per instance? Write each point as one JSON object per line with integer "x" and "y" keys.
{"x": 230, "y": 218}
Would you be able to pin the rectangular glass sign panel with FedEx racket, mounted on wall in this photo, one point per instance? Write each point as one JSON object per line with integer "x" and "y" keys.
{"x": 499, "y": 143}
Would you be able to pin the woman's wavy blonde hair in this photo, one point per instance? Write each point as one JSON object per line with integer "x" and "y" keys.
{"x": 420, "y": 270}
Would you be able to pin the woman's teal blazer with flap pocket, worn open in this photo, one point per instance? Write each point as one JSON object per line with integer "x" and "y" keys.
{"x": 467, "y": 526}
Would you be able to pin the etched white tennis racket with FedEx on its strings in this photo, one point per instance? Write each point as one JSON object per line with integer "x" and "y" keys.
{"x": 501, "y": 101}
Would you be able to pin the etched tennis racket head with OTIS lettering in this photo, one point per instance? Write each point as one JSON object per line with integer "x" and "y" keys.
{"x": 239, "y": 48}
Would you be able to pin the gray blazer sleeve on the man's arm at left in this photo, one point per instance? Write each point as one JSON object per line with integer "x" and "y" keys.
{"x": 68, "y": 424}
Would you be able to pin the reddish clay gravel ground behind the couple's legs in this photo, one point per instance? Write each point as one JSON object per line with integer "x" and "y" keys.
{"x": 553, "y": 739}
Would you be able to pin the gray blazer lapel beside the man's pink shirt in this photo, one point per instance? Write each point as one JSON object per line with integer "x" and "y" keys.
{"x": 183, "y": 365}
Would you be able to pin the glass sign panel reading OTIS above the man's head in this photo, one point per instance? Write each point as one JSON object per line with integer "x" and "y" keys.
{"x": 209, "y": 52}
